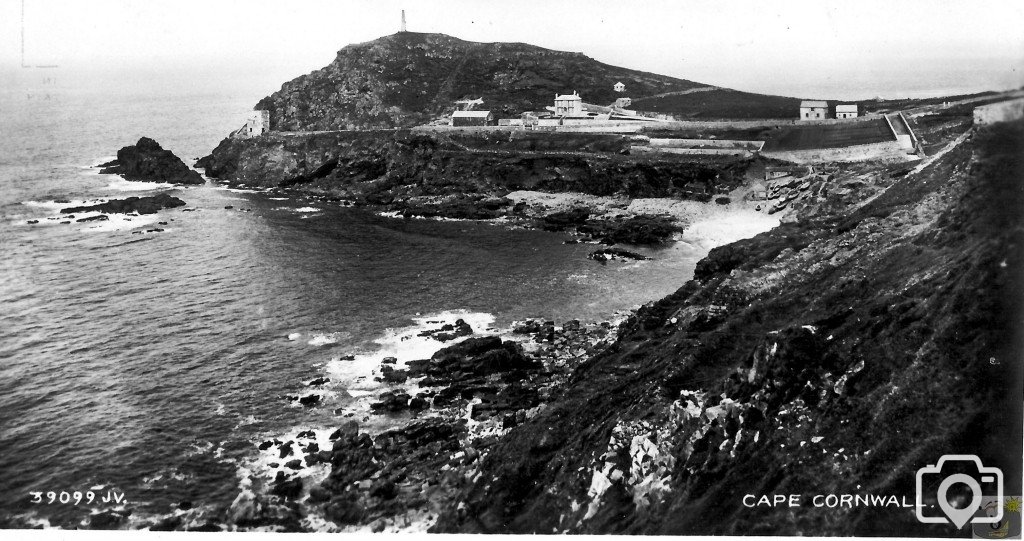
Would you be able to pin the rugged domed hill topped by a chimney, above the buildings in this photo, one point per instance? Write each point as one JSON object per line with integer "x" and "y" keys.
{"x": 411, "y": 78}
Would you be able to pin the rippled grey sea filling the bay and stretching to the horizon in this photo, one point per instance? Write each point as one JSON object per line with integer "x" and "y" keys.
{"x": 151, "y": 364}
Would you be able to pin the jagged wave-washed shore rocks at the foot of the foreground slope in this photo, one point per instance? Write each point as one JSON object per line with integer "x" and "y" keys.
{"x": 449, "y": 411}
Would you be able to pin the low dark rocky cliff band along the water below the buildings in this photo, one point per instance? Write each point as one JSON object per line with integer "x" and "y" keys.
{"x": 467, "y": 177}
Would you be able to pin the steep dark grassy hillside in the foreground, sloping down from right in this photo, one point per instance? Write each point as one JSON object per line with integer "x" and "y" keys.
{"x": 834, "y": 356}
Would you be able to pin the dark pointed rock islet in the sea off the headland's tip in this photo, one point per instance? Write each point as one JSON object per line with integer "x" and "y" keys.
{"x": 148, "y": 161}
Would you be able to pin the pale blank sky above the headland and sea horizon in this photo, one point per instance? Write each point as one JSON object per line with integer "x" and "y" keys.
{"x": 803, "y": 49}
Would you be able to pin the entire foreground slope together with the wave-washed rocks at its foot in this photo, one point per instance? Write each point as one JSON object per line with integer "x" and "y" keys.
{"x": 814, "y": 343}
